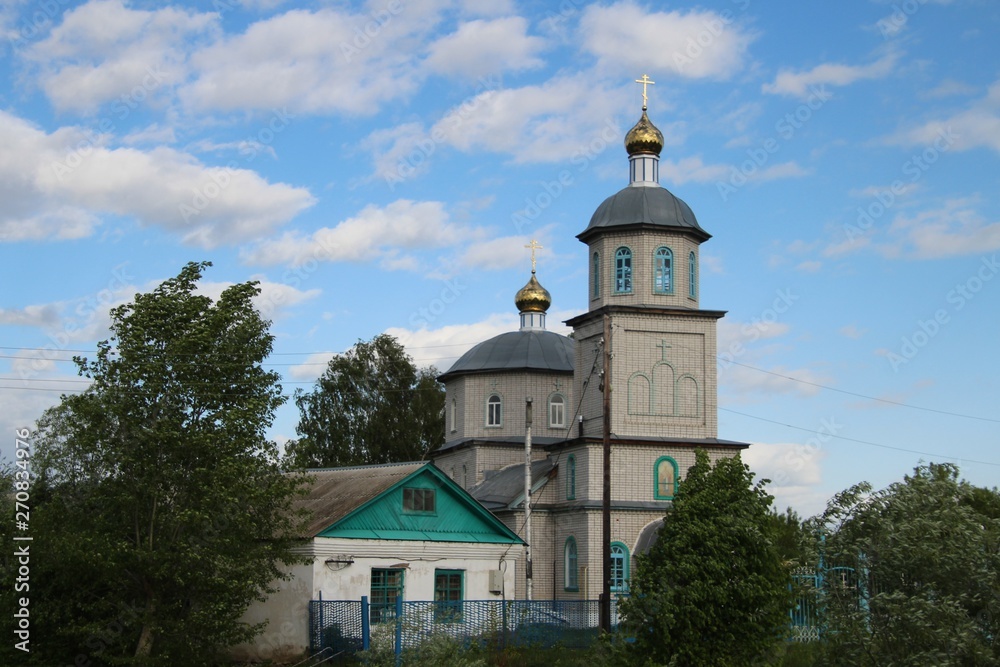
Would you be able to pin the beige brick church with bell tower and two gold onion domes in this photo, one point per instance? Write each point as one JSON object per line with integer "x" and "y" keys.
{"x": 643, "y": 246}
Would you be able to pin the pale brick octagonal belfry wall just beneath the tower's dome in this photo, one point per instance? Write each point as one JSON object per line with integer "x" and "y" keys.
{"x": 643, "y": 244}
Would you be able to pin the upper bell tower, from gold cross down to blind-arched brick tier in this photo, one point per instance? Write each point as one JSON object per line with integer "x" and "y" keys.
{"x": 642, "y": 251}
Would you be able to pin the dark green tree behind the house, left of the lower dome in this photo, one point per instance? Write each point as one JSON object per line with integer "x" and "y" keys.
{"x": 371, "y": 405}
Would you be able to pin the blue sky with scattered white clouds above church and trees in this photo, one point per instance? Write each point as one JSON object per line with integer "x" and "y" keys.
{"x": 380, "y": 166}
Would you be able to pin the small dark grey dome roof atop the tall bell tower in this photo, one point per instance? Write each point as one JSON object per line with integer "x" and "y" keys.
{"x": 639, "y": 206}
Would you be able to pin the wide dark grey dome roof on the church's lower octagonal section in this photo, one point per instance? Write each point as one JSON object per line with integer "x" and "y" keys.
{"x": 516, "y": 350}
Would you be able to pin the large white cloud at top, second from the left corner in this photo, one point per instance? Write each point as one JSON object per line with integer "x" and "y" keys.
{"x": 321, "y": 61}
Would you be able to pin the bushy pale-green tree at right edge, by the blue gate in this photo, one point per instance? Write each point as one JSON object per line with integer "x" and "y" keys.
{"x": 922, "y": 578}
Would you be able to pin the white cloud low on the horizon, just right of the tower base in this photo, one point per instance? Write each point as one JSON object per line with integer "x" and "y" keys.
{"x": 795, "y": 471}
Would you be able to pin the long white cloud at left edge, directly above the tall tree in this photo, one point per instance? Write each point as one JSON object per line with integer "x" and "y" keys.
{"x": 55, "y": 185}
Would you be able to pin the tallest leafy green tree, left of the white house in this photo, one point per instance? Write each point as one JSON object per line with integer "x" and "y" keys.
{"x": 159, "y": 511}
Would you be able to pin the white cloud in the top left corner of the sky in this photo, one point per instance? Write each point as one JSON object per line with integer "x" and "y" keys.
{"x": 104, "y": 51}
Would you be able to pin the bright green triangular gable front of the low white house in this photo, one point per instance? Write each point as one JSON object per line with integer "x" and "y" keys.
{"x": 457, "y": 516}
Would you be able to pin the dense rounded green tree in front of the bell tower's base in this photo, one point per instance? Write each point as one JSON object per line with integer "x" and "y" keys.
{"x": 712, "y": 590}
